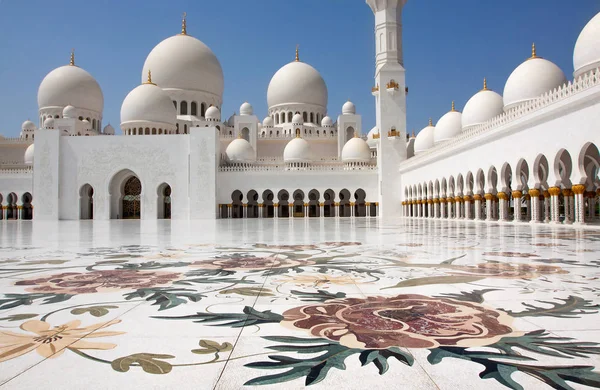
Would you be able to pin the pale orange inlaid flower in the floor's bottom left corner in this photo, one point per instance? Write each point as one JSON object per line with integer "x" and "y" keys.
{"x": 52, "y": 342}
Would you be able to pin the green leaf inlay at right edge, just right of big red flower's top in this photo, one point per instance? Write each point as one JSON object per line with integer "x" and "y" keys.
{"x": 572, "y": 307}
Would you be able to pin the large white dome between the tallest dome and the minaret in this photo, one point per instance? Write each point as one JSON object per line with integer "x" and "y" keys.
{"x": 297, "y": 83}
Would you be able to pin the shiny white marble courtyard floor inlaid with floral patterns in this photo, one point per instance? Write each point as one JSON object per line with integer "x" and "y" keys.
{"x": 330, "y": 304}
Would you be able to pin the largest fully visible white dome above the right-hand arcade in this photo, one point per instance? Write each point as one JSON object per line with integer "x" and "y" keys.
{"x": 530, "y": 80}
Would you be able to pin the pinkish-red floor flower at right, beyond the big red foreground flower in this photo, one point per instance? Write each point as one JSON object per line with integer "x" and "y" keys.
{"x": 509, "y": 271}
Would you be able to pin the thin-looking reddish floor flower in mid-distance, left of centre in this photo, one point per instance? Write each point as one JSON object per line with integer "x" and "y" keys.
{"x": 249, "y": 263}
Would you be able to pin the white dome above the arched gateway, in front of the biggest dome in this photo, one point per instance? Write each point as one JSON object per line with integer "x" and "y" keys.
{"x": 148, "y": 103}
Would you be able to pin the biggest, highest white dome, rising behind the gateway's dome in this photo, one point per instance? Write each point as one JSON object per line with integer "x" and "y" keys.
{"x": 186, "y": 63}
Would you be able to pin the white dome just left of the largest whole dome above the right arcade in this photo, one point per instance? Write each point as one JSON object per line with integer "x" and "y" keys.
{"x": 483, "y": 106}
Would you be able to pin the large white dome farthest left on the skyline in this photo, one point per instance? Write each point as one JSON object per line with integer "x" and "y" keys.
{"x": 70, "y": 85}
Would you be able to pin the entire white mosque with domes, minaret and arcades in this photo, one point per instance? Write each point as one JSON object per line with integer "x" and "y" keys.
{"x": 528, "y": 155}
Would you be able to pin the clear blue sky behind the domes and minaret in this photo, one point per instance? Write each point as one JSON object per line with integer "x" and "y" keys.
{"x": 449, "y": 46}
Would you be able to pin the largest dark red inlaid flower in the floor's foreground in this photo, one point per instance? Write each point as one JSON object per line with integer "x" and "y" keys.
{"x": 411, "y": 321}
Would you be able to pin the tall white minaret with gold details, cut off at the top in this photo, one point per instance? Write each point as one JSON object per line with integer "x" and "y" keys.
{"x": 390, "y": 95}
